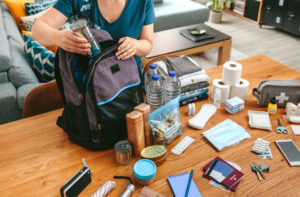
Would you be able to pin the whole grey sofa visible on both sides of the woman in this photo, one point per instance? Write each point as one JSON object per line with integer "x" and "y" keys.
{"x": 17, "y": 78}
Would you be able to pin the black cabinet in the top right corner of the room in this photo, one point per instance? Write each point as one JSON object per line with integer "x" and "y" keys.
{"x": 283, "y": 14}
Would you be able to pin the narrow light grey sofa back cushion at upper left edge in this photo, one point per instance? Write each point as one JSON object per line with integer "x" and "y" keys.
{"x": 4, "y": 49}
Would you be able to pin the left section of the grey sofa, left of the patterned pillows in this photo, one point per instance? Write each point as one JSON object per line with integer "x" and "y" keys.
{"x": 17, "y": 78}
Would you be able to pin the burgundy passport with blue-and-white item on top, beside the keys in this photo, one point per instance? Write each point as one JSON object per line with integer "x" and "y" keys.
{"x": 223, "y": 173}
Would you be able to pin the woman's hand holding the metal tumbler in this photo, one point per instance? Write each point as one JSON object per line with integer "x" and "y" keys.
{"x": 71, "y": 42}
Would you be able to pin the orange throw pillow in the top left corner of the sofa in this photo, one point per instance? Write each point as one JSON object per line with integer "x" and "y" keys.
{"x": 17, "y": 10}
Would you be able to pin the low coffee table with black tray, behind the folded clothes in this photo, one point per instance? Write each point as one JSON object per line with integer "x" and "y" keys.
{"x": 170, "y": 42}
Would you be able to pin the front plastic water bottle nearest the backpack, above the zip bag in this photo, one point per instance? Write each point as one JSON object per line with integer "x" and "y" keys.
{"x": 154, "y": 93}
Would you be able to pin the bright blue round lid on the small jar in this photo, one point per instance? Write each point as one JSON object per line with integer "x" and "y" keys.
{"x": 144, "y": 169}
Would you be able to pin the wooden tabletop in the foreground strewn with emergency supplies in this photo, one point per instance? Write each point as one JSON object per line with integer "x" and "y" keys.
{"x": 36, "y": 157}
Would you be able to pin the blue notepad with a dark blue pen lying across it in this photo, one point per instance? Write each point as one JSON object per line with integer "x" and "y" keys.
{"x": 178, "y": 184}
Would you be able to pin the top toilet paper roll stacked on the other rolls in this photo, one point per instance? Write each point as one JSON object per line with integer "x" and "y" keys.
{"x": 232, "y": 72}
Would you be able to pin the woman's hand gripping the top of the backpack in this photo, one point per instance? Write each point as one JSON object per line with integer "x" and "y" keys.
{"x": 127, "y": 49}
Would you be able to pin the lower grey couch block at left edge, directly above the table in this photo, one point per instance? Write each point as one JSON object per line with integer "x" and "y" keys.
{"x": 9, "y": 110}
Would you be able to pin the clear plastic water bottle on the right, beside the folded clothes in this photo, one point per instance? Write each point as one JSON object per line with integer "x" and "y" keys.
{"x": 172, "y": 87}
